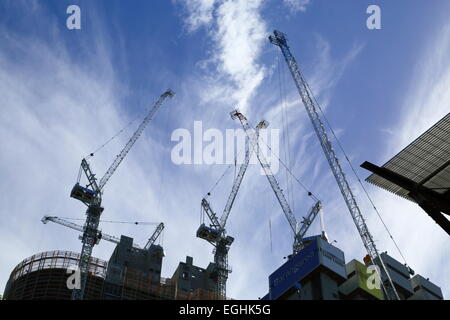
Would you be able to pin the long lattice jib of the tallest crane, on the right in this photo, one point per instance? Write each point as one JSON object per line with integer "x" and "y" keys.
{"x": 307, "y": 97}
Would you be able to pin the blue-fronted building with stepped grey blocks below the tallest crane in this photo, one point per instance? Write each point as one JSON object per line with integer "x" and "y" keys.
{"x": 319, "y": 272}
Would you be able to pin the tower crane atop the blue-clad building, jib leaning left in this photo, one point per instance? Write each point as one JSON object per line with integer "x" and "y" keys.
{"x": 298, "y": 229}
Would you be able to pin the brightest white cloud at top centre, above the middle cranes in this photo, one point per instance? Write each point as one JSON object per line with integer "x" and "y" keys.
{"x": 237, "y": 32}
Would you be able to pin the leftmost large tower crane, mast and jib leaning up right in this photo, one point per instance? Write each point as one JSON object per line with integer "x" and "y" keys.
{"x": 91, "y": 197}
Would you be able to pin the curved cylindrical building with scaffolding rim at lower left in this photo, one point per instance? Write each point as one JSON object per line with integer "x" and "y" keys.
{"x": 44, "y": 276}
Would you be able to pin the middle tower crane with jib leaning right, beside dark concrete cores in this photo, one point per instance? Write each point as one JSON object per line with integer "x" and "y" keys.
{"x": 216, "y": 232}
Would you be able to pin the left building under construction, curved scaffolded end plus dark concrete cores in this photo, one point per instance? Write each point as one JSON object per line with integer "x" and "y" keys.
{"x": 129, "y": 274}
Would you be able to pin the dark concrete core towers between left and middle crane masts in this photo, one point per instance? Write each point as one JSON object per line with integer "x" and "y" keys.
{"x": 136, "y": 274}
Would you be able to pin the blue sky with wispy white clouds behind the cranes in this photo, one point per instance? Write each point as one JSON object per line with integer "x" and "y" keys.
{"x": 64, "y": 92}
